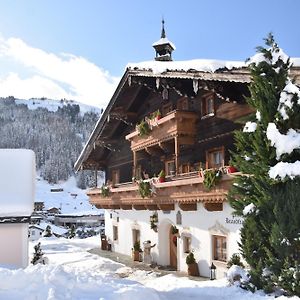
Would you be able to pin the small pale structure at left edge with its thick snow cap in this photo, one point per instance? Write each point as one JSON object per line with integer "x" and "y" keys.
{"x": 17, "y": 184}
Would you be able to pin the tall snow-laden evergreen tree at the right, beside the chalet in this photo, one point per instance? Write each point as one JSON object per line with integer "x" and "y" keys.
{"x": 267, "y": 194}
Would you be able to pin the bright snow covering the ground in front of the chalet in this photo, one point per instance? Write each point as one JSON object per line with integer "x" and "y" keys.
{"x": 73, "y": 273}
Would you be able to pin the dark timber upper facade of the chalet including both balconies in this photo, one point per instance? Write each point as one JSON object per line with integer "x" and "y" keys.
{"x": 199, "y": 112}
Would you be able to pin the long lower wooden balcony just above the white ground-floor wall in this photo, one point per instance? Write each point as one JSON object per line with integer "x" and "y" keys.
{"x": 185, "y": 190}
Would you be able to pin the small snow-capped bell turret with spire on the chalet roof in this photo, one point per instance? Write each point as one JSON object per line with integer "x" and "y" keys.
{"x": 163, "y": 47}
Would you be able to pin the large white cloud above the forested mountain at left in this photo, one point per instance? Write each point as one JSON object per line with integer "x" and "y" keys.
{"x": 54, "y": 76}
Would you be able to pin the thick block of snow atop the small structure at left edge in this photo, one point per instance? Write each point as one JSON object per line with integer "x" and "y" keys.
{"x": 17, "y": 181}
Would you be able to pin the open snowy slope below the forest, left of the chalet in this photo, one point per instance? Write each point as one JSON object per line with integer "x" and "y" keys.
{"x": 71, "y": 200}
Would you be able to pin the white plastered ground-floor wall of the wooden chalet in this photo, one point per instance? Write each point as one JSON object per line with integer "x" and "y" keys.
{"x": 200, "y": 225}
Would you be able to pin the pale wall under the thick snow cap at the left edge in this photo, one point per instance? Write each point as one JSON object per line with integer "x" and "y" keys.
{"x": 14, "y": 245}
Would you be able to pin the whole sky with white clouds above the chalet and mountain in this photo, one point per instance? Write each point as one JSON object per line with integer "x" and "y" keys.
{"x": 44, "y": 43}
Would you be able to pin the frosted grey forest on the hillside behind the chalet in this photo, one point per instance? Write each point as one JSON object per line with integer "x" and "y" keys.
{"x": 56, "y": 137}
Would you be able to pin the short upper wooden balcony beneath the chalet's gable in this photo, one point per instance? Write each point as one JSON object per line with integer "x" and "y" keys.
{"x": 176, "y": 124}
